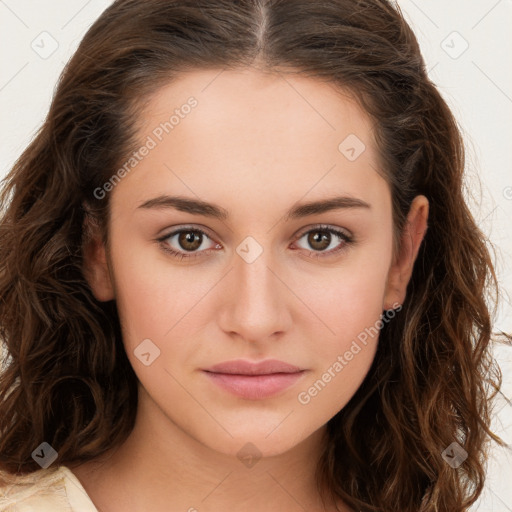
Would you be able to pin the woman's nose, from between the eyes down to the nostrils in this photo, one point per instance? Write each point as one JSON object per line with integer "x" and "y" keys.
{"x": 255, "y": 301}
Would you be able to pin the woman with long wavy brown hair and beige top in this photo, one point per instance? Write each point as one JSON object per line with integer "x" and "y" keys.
{"x": 218, "y": 286}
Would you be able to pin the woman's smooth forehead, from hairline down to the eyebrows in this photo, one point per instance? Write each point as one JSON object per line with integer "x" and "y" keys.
{"x": 251, "y": 133}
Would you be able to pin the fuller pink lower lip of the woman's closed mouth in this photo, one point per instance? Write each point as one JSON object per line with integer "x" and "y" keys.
{"x": 255, "y": 387}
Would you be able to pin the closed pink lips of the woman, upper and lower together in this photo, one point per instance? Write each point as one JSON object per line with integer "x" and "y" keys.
{"x": 254, "y": 381}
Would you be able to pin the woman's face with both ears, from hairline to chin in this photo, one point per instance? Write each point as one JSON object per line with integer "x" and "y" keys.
{"x": 254, "y": 226}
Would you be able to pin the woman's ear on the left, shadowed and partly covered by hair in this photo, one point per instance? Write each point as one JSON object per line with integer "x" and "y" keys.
{"x": 95, "y": 262}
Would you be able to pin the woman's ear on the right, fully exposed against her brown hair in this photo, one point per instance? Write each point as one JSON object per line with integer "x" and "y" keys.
{"x": 401, "y": 269}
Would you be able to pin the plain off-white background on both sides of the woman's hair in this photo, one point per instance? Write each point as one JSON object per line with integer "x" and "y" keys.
{"x": 466, "y": 45}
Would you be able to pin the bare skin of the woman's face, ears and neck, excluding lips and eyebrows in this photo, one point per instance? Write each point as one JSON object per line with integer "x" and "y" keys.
{"x": 257, "y": 144}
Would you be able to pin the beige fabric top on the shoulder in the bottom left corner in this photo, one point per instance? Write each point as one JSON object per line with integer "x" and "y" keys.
{"x": 55, "y": 489}
